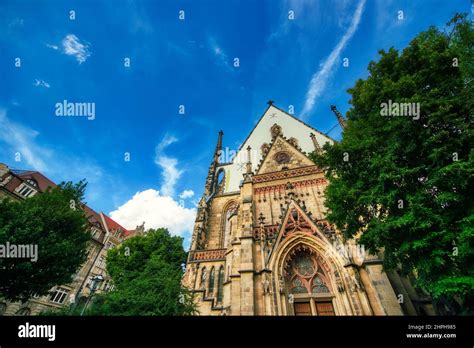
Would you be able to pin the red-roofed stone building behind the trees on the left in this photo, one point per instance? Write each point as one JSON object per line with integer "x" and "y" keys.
{"x": 105, "y": 234}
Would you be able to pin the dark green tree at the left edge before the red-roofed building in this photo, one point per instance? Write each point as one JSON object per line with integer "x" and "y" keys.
{"x": 55, "y": 223}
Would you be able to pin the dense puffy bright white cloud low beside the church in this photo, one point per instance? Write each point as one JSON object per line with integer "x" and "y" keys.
{"x": 157, "y": 211}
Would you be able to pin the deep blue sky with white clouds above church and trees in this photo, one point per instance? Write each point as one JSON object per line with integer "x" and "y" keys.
{"x": 177, "y": 62}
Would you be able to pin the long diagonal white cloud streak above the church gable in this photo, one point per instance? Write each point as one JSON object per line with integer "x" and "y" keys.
{"x": 320, "y": 78}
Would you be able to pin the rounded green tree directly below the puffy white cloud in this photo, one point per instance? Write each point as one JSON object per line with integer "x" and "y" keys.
{"x": 146, "y": 273}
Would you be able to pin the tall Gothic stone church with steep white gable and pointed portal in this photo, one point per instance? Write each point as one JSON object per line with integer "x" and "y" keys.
{"x": 261, "y": 244}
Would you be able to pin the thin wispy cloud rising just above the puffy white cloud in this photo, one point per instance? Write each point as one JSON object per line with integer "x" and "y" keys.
{"x": 168, "y": 165}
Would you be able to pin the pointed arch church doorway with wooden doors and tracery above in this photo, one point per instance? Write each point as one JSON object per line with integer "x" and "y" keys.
{"x": 307, "y": 284}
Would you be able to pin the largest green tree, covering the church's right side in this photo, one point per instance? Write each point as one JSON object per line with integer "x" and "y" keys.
{"x": 406, "y": 183}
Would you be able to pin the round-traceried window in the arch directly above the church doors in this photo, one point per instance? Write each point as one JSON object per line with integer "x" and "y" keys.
{"x": 304, "y": 275}
